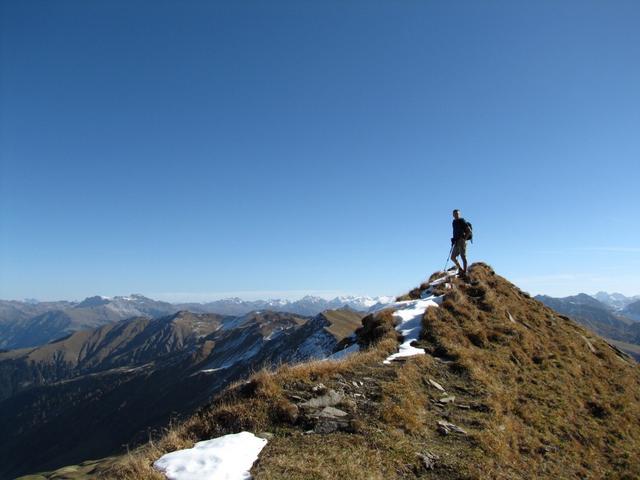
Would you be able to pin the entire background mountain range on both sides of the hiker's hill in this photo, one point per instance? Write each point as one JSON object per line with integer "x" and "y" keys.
{"x": 107, "y": 372}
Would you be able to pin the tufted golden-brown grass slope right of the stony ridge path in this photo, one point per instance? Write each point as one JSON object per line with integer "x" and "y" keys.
{"x": 560, "y": 409}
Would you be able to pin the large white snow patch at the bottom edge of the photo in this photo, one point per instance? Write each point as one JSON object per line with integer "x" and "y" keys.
{"x": 229, "y": 457}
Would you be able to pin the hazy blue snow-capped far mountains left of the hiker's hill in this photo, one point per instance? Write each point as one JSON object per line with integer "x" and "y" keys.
{"x": 30, "y": 323}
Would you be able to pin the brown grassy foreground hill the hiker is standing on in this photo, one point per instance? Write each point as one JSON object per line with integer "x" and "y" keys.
{"x": 506, "y": 389}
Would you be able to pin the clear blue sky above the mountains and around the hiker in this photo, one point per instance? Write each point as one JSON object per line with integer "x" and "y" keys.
{"x": 190, "y": 150}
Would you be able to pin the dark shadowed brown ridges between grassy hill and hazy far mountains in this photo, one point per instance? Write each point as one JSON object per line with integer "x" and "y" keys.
{"x": 96, "y": 391}
